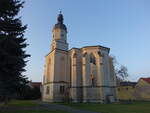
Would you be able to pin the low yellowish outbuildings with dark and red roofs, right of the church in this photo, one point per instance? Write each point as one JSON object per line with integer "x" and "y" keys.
{"x": 134, "y": 91}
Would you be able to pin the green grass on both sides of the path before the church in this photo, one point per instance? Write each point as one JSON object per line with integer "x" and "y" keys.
{"x": 17, "y": 106}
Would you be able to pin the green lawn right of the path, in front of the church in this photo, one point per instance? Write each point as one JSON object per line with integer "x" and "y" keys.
{"x": 135, "y": 107}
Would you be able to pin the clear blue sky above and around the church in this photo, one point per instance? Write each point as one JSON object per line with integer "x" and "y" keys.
{"x": 122, "y": 25}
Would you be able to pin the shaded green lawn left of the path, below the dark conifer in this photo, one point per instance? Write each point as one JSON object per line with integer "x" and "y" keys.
{"x": 26, "y": 106}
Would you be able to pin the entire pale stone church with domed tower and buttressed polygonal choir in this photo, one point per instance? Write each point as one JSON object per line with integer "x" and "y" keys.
{"x": 78, "y": 75}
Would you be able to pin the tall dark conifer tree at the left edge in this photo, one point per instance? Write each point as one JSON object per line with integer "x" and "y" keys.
{"x": 12, "y": 53}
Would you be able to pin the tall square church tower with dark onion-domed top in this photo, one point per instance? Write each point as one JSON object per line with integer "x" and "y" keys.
{"x": 56, "y": 75}
